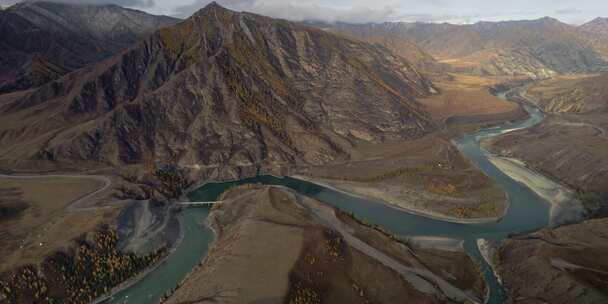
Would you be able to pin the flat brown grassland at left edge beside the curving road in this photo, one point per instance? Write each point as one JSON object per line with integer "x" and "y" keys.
{"x": 44, "y": 226}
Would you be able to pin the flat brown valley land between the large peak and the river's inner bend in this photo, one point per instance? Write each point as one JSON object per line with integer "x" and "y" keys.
{"x": 429, "y": 175}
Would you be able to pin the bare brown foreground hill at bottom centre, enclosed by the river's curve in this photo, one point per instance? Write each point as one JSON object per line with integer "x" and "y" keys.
{"x": 275, "y": 246}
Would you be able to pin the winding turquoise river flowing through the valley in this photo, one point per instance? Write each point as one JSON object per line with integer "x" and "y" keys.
{"x": 526, "y": 212}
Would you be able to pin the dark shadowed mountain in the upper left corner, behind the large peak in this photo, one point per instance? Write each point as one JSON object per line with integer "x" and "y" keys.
{"x": 41, "y": 41}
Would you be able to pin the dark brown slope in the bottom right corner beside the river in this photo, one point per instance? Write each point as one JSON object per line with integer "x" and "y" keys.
{"x": 563, "y": 265}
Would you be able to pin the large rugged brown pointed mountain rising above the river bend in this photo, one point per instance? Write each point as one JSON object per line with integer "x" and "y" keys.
{"x": 221, "y": 89}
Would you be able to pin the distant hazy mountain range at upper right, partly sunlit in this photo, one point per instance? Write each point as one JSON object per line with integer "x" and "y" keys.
{"x": 535, "y": 48}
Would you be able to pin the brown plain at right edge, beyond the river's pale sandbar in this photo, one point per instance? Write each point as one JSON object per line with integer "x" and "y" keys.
{"x": 570, "y": 145}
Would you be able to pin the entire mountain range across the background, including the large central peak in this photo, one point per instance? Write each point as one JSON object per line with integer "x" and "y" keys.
{"x": 223, "y": 88}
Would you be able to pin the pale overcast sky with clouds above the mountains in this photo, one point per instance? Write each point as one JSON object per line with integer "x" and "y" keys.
{"x": 361, "y": 11}
